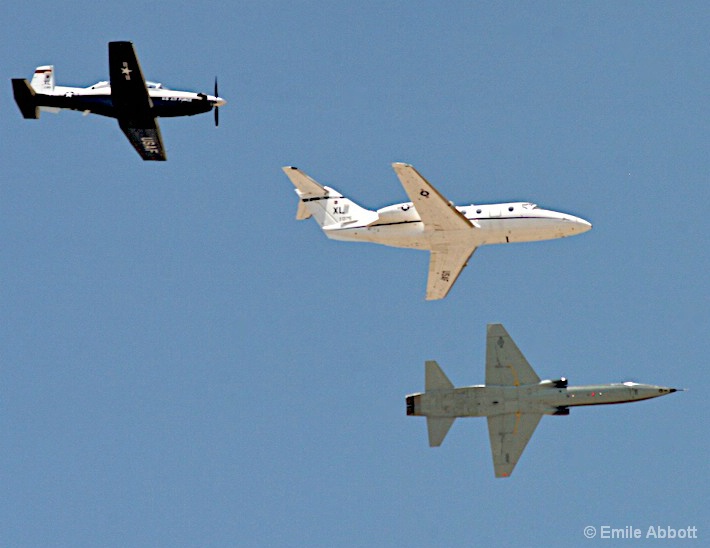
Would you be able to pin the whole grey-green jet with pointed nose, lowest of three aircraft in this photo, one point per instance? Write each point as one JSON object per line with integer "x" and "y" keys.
{"x": 513, "y": 399}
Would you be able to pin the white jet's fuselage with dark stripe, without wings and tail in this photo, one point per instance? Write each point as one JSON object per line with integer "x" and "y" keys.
{"x": 399, "y": 225}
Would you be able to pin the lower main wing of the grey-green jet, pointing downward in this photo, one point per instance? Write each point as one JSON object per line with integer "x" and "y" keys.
{"x": 509, "y": 434}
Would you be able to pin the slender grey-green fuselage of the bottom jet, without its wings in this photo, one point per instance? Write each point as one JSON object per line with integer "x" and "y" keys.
{"x": 544, "y": 398}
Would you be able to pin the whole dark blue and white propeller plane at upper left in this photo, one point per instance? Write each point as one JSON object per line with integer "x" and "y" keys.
{"x": 135, "y": 103}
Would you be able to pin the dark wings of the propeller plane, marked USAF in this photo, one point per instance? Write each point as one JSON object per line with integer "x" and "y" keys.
{"x": 132, "y": 104}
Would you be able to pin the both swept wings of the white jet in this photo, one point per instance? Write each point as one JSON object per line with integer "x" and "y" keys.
{"x": 438, "y": 214}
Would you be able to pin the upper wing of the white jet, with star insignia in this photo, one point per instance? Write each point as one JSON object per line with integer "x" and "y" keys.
{"x": 435, "y": 211}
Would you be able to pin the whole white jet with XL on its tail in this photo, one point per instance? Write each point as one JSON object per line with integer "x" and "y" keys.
{"x": 429, "y": 221}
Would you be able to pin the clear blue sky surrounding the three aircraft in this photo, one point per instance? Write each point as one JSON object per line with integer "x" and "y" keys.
{"x": 182, "y": 363}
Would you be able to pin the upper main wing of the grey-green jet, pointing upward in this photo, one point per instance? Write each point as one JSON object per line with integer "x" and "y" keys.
{"x": 505, "y": 363}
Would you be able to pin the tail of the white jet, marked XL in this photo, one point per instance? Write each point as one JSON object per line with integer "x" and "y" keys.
{"x": 327, "y": 206}
